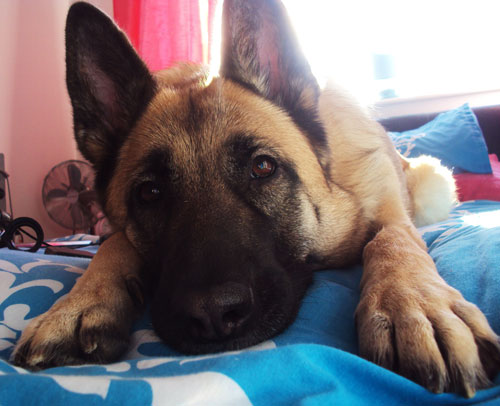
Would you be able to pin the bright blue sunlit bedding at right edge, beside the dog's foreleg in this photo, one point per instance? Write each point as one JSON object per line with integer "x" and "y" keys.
{"x": 466, "y": 250}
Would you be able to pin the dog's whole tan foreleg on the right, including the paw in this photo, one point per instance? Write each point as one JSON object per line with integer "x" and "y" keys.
{"x": 411, "y": 321}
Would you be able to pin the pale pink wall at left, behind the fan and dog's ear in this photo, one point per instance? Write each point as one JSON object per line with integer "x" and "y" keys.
{"x": 35, "y": 113}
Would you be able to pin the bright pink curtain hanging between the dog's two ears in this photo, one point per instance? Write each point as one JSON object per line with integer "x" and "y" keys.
{"x": 167, "y": 31}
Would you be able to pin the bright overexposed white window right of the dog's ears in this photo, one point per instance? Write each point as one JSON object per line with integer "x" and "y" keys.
{"x": 396, "y": 48}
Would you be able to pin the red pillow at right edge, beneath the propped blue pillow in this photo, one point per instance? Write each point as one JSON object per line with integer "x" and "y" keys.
{"x": 474, "y": 186}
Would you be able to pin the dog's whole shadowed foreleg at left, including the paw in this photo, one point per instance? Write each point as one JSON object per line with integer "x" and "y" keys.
{"x": 92, "y": 323}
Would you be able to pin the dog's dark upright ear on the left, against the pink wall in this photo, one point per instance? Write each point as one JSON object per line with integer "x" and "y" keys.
{"x": 108, "y": 84}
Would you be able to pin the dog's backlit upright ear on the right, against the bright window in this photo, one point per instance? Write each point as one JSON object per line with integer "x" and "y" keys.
{"x": 261, "y": 52}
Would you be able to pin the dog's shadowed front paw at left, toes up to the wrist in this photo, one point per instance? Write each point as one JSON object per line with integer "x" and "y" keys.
{"x": 72, "y": 332}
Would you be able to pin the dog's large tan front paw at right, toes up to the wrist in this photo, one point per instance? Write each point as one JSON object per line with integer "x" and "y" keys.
{"x": 428, "y": 333}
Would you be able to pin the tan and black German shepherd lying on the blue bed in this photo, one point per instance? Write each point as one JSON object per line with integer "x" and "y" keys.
{"x": 228, "y": 192}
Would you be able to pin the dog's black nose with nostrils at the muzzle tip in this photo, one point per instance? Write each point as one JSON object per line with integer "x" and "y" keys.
{"x": 220, "y": 311}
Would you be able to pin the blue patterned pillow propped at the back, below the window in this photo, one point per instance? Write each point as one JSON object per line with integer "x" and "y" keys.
{"x": 454, "y": 137}
